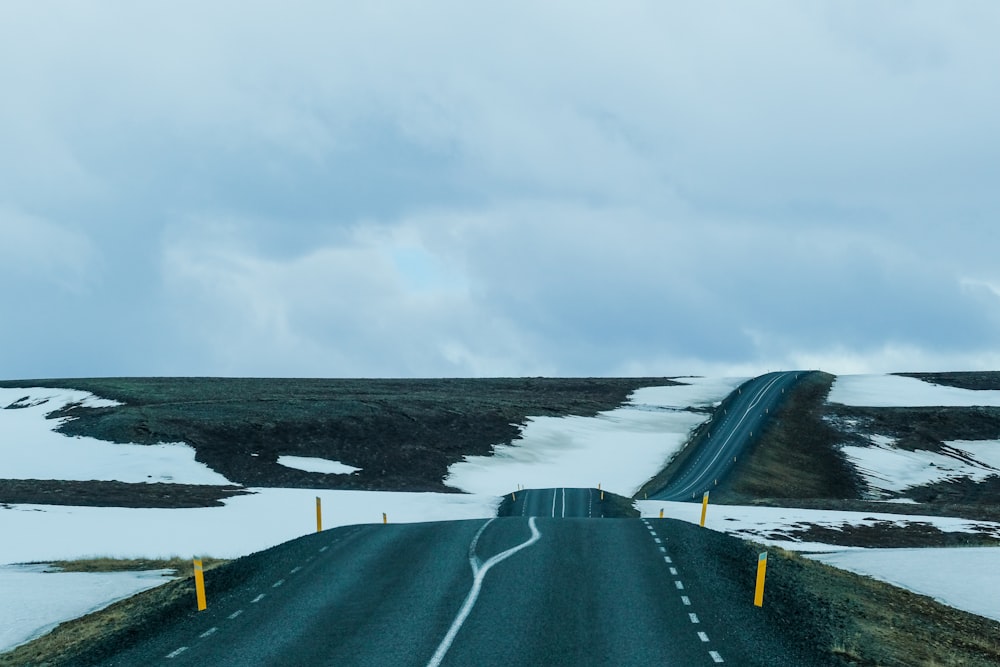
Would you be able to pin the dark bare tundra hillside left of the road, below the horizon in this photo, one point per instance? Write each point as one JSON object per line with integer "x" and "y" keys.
{"x": 403, "y": 434}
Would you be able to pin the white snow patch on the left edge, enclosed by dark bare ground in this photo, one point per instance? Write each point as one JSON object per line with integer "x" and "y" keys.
{"x": 31, "y": 448}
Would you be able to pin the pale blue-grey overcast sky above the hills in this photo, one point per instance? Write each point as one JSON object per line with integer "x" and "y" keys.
{"x": 354, "y": 189}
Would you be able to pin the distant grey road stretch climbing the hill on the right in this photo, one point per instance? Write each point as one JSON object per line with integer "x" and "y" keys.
{"x": 731, "y": 431}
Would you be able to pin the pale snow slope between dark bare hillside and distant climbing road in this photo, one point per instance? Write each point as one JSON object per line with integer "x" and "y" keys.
{"x": 619, "y": 449}
